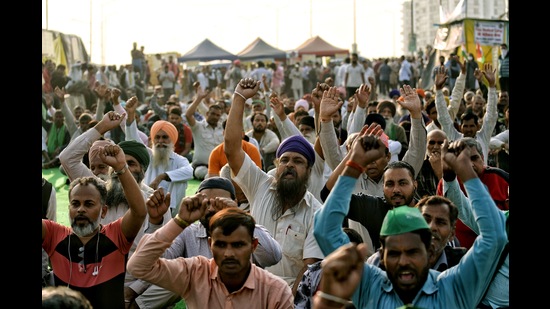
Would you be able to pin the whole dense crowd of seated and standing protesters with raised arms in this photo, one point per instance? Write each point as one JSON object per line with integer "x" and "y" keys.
{"x": 345, "y": 185}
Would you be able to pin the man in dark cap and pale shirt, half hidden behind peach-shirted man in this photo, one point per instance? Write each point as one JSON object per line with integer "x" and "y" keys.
{"x": 193, "y": 241}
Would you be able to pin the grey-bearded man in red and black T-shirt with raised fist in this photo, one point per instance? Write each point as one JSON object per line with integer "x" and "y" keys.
{"x": 88, "y": 256}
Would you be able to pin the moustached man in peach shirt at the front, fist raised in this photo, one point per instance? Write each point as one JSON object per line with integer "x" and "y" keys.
{"x": 228, "y": 279}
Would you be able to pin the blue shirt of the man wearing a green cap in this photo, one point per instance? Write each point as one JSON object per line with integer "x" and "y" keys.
{"x": 461, "y": 286}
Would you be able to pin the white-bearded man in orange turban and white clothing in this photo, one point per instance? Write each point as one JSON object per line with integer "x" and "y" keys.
{"x": 166, "y": 169}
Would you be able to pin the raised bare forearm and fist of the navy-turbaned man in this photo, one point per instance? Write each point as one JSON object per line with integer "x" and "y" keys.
{"x": 246, "y": 88}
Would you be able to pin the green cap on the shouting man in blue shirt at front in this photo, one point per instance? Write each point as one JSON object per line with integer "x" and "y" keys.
{"x": 403, "y": 219}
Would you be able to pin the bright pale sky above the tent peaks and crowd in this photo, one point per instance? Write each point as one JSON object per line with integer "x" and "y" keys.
{"x": 163, "y": 26}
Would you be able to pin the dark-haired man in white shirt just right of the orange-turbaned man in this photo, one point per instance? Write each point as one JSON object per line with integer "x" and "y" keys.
{"x": 207, "y": 133}
